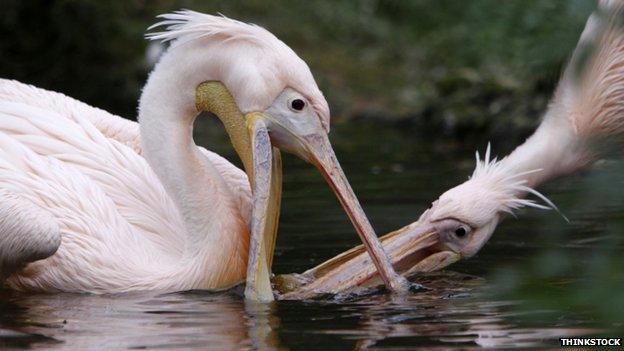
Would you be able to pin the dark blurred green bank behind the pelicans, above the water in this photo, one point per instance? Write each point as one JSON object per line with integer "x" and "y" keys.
{"x": 482, "y": 65}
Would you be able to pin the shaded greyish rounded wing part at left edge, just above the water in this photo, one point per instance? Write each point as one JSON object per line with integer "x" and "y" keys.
{"x": 27, "y": 233}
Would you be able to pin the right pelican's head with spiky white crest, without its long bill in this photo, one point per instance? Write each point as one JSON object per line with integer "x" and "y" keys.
{"x": 463, "y": 218}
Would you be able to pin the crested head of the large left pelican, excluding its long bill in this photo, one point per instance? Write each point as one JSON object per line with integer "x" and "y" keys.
{"x": 226, "y": 65}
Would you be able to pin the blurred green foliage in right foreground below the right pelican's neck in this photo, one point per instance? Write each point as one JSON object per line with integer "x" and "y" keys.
{"x": 579, "y": 269}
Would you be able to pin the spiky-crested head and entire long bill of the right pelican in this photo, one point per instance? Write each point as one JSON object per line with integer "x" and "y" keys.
{"x": 456, "y": 226}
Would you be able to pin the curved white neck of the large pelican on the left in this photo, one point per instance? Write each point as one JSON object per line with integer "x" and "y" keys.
{"x": 215, "y": 229}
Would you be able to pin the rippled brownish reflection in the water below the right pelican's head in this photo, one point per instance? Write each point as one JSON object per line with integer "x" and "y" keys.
{"x": 456, "y": 320}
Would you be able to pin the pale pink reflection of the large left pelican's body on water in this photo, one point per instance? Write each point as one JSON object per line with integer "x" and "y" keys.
{"x": 142, "y": 321}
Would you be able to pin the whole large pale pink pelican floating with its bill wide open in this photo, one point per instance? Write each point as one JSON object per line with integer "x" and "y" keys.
{"x": 91, "y": 202}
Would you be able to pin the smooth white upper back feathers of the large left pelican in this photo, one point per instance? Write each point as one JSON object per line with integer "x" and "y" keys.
{"x": 54, "y": 126}
